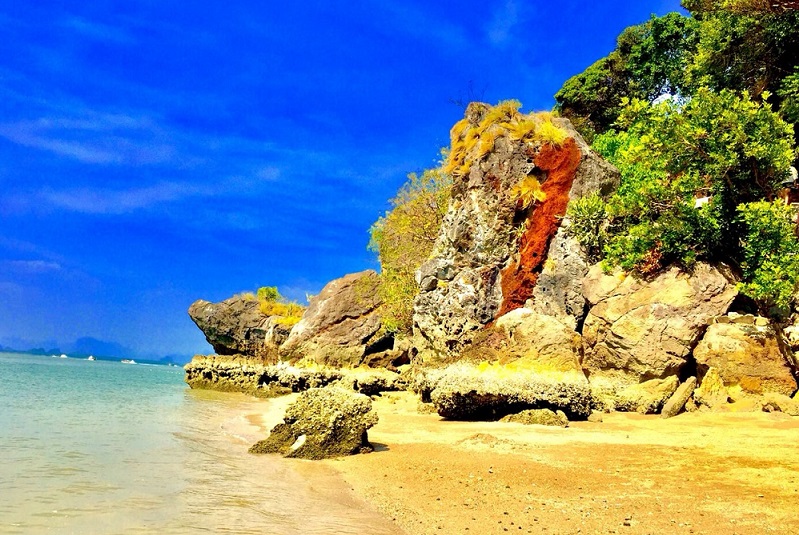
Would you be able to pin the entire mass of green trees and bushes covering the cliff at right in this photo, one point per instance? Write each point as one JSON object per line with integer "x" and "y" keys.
{"x": 684, "y": 110}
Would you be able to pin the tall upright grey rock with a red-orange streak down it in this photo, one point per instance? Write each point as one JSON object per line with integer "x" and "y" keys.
{"x": 491, "y": 248}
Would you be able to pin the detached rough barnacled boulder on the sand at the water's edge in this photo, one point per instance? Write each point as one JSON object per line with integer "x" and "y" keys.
{"x": 322, "y": 423}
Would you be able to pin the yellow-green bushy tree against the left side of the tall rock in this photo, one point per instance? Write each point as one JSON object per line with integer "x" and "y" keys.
{"x": 404, "y": 239}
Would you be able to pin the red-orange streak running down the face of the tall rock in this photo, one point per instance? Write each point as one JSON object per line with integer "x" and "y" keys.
{"x": 519, "y": 278}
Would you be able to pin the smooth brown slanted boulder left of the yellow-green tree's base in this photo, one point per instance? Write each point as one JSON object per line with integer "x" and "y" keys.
{"x": 342, "y": 325}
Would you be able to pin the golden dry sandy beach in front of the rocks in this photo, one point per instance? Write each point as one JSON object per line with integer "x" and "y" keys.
{"x": 633, "y": 474}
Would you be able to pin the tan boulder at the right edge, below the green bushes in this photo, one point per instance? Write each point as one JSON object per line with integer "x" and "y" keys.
{"x": 749, "y": 358}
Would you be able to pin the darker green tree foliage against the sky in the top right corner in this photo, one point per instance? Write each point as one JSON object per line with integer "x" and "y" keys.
{"x": 743, "y": 45}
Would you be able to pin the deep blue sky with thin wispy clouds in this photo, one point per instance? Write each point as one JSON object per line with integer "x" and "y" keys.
{"x": 154, "y": 152}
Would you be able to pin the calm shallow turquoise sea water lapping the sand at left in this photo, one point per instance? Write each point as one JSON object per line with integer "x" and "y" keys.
{"x": 110, "y": 448}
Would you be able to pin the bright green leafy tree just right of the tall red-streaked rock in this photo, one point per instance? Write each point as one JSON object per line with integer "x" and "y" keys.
{"x": 721, "y": 146}
